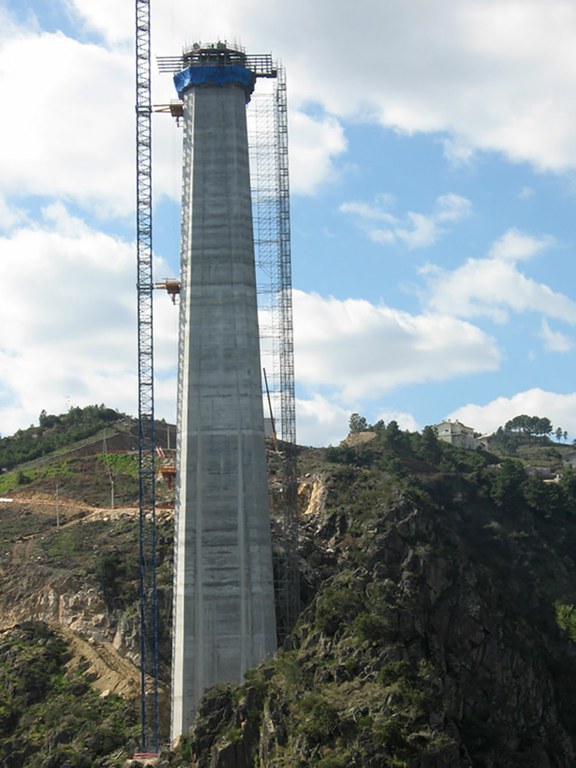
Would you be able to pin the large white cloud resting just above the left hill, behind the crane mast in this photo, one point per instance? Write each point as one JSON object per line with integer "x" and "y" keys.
{"x": 72, "y": 291}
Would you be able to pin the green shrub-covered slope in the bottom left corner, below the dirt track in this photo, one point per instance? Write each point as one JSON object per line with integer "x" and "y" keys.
{"x": 50, "y": 717}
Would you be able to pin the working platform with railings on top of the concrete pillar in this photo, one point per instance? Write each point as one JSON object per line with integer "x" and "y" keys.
{"x": 219, "y": 55}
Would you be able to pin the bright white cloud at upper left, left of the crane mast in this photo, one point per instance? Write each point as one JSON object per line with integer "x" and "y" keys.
{"x": 69, "y": 131}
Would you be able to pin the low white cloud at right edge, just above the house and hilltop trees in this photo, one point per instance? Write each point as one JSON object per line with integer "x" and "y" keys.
{"x": 559, "y": 408}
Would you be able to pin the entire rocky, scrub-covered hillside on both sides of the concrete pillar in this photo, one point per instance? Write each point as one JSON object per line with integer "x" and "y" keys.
{"x": 437, "y": 629}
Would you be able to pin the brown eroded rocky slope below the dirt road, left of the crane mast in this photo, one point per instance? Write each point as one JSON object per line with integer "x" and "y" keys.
{"x": 73, "y": 575}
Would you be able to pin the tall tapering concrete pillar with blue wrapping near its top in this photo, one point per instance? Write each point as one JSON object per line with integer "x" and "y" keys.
{"x": 224, "y": 617}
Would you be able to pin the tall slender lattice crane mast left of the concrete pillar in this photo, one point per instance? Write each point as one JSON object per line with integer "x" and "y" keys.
{"x": 146, "y": 442}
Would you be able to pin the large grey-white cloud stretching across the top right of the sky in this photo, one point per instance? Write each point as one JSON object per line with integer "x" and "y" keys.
{"x": 484, "y": 74}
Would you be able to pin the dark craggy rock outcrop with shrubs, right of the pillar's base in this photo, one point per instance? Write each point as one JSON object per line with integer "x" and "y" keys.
{"x": 430, "y": 642}
